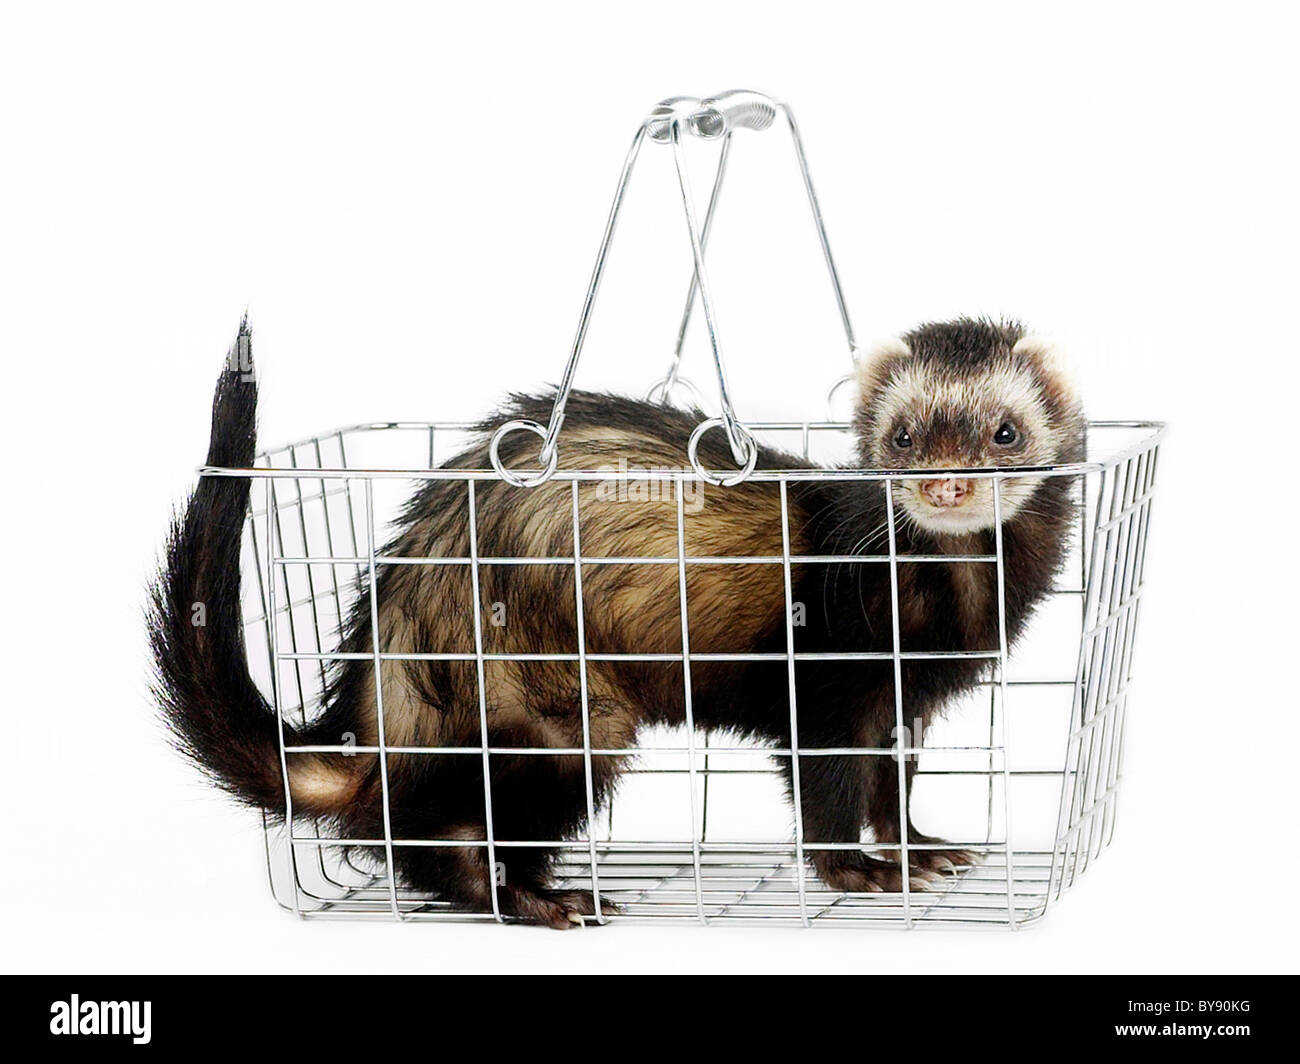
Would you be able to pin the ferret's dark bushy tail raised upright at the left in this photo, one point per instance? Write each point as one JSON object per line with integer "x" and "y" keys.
{"x": 215, "y": 712}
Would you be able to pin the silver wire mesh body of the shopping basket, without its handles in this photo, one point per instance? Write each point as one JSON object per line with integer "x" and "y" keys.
{"x": 1025, "y": 773}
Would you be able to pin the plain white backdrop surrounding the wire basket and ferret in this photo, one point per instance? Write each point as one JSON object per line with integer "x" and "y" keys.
{"x": 408, "y": 200}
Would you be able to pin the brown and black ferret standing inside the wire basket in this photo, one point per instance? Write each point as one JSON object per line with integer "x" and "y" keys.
{"x": 951, "y": 396}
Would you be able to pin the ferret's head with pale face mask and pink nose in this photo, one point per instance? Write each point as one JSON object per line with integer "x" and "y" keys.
{"x": 960, "y": 396}
